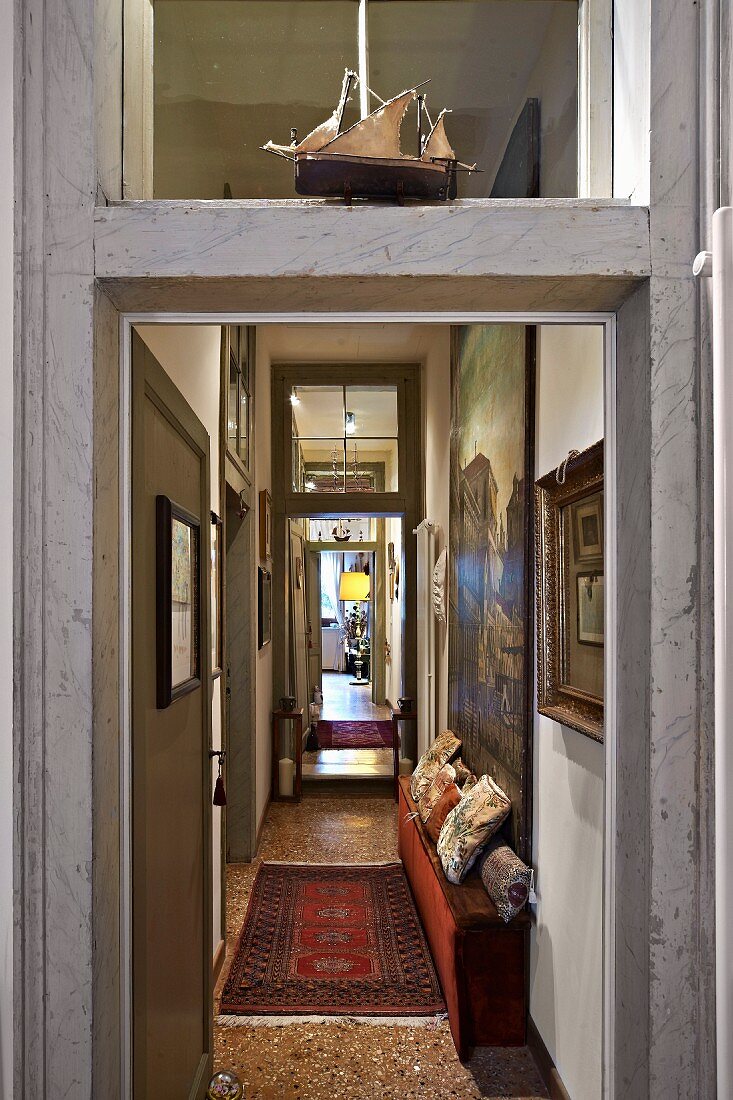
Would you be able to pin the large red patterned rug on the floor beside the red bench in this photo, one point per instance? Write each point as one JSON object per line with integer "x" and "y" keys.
{"x": 333, "y": 942}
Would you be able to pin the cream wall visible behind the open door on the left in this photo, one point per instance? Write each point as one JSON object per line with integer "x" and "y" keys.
{"x": 191, "y": 356}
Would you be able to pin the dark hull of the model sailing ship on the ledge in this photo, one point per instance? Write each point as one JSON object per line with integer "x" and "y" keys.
{"x": 333, "y": 175}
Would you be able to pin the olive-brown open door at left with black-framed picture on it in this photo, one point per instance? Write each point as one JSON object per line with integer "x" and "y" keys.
{"x": 172, "y": 1042}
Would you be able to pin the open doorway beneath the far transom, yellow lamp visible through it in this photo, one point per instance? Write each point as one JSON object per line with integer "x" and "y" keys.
{"x": 355, "y": 644}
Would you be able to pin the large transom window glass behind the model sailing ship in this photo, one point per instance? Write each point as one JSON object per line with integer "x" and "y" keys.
{"x": 227, "y": 76}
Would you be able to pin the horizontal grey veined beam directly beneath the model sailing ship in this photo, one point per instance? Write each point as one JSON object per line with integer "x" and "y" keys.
{"x": 538, "y": 238}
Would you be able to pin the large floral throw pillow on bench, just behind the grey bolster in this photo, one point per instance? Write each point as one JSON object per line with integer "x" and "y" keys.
{"x": 469, "y": 826}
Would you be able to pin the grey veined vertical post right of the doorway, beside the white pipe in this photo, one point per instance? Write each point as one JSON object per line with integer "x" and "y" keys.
{"x": 681, "y": 963}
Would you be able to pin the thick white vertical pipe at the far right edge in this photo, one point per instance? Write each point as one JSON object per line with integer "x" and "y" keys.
{"x": 720, "y": 266}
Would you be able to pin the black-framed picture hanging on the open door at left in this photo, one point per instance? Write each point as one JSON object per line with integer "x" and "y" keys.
{"x": 179, "y": 584}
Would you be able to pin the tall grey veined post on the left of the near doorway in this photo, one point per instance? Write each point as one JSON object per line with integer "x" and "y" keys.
{"x": 53, "y": 562}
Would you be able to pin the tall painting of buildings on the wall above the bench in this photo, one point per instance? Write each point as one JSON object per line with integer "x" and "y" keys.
{"x": 493, "y": 432}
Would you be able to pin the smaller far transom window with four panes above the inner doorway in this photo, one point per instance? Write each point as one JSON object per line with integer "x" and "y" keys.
{"x": 345, "y": 439}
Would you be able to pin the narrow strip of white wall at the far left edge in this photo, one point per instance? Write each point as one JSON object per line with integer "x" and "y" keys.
{"x": 7, "y": 40}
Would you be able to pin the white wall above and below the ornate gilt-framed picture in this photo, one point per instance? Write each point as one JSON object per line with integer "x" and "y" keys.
{"x": 566, "y": 977}
